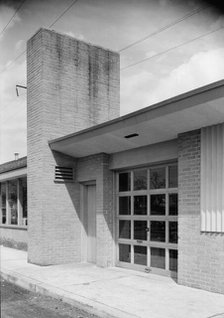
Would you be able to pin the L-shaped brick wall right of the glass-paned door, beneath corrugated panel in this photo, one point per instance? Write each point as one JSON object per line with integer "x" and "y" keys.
{"x": 201, "y": 255}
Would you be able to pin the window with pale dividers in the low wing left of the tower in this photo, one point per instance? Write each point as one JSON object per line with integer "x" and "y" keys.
{"x": 13, "y": 202}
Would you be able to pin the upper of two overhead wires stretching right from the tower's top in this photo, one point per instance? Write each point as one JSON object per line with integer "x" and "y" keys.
{"x": 185, "y": 17}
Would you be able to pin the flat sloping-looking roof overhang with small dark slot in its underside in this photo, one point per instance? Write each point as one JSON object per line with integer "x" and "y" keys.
{"x": 160, "y": 122}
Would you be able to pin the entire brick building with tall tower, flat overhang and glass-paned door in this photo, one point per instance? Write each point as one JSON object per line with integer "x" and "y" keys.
{"x": 141, "y": 191}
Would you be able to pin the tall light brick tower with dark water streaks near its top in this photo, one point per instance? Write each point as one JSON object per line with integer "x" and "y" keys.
{"x": 71, "y": 85}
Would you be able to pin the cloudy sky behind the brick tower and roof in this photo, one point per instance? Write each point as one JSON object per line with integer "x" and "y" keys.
{"x": 179, "y": 46}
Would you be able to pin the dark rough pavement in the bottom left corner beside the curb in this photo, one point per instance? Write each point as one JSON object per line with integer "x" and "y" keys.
{"x": 17, "y": 302}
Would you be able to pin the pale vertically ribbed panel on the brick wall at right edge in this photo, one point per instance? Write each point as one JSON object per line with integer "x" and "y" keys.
{"x": 212, "y": 179}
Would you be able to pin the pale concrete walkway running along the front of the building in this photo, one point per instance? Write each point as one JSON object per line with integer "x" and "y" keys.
{"x": 112, "y": 292}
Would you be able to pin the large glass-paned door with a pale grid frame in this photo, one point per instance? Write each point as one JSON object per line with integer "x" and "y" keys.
{"x": 147, "y": 227}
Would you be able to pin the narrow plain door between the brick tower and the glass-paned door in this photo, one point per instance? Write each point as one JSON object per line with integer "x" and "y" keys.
{"x": 90, "y": 215}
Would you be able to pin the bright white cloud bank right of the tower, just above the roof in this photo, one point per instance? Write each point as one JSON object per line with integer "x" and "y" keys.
{"x": 201, "y": 69}
